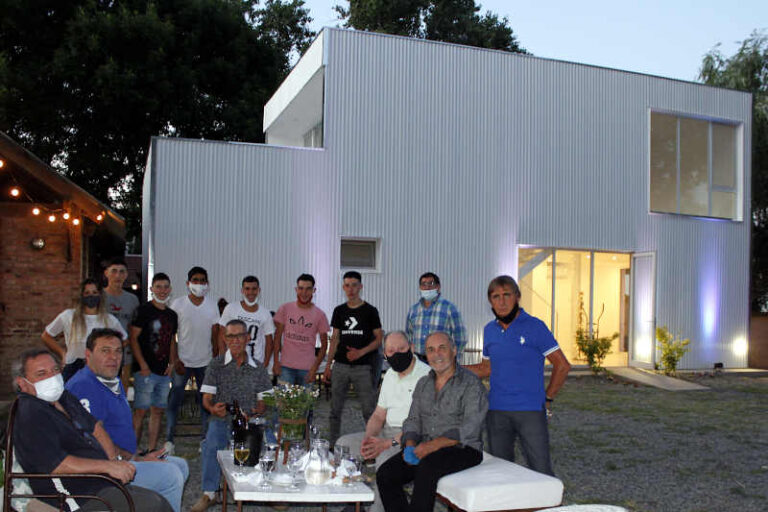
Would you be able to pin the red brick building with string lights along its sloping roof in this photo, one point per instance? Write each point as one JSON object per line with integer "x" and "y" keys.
{"x": 53, "y": 234}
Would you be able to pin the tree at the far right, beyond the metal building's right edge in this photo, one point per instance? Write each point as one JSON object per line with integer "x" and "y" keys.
{"x": 747, "y": 70}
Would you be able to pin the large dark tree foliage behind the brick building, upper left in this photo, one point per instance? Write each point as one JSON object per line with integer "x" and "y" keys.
{"x": 84, "y": 84}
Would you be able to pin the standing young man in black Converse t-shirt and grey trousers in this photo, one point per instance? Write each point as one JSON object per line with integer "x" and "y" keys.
{"x": 354, "y": 347}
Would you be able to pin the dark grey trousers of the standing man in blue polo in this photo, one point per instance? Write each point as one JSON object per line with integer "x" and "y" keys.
{"x": 505, "y": 427}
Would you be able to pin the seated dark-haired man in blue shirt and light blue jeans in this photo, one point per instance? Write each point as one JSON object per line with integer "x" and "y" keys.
{"x": 100, "y": 391}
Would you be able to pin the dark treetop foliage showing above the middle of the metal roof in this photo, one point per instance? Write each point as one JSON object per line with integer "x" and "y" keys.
{"x": 452, "y": 21}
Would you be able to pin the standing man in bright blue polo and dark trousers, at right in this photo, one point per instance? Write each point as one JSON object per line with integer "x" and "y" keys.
{"x": 514, "y": 347}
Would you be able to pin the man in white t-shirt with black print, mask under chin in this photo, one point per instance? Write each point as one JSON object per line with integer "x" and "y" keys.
{"x": 257, "y": 319}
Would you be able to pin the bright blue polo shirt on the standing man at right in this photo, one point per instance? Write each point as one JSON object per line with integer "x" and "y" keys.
{"x": 517, "y": 362}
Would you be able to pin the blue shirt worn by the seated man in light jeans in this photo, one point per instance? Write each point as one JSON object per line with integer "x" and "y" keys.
{"x": 112, "y": 409}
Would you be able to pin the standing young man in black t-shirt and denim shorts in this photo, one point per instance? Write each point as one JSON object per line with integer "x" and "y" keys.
{"x": 152, "y": 332}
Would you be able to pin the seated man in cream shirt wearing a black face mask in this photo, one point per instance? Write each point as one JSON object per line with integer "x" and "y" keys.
{"x": 381, "y": 439}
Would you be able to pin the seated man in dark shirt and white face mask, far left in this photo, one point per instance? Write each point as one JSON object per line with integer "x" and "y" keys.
{"x": 53, "y": 433}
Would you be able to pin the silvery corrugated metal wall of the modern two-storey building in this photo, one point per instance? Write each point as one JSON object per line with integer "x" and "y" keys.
{"x": 453, "y": 156}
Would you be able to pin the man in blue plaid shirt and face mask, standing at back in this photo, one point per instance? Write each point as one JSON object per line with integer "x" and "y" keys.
{"x": 431, "y": 314}
